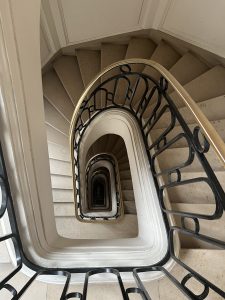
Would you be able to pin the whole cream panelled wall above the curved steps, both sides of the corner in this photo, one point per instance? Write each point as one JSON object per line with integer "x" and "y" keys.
{"x": 199, "y": 22}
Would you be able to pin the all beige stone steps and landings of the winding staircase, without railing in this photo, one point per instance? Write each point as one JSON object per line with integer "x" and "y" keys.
{"x": 63, "y": 85}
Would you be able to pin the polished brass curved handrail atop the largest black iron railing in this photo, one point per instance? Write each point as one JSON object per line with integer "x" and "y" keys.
{"x": 208, "y": 130}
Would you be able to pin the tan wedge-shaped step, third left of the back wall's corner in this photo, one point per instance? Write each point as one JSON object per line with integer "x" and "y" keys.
{"x": 90, "y": 64}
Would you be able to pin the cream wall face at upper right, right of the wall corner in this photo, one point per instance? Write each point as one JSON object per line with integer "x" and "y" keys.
{"x": 199, "y": 22}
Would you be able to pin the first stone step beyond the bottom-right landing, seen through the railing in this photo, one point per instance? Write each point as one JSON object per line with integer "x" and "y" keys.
{"x": 211, "y": 228}
